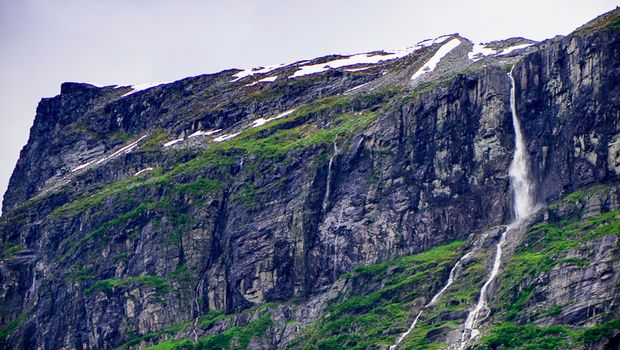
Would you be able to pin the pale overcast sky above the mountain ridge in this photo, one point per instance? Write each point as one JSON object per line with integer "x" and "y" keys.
{"x": 46, "y": 42}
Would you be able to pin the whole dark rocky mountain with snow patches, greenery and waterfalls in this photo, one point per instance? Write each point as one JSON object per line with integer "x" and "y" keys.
{"x": 450, "y": 195}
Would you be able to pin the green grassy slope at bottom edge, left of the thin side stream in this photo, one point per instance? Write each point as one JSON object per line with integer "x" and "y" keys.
{"x": 370, "y": 317}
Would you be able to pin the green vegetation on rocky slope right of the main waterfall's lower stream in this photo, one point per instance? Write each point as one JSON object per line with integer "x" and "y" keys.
{"x": 545, "y": 246}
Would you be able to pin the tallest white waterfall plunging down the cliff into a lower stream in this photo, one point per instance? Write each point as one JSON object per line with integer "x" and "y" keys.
{"x": 523, "y": 206}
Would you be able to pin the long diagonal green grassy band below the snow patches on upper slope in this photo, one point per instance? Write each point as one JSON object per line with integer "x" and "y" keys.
{"x": 268, "y": 141}
